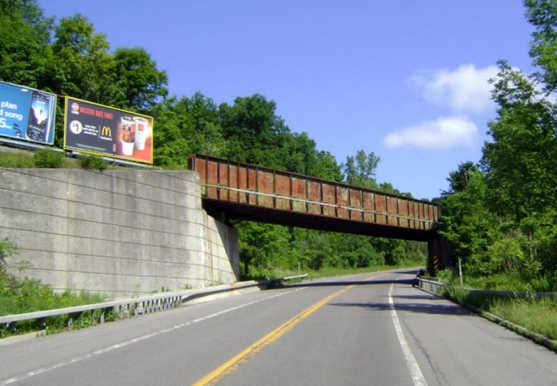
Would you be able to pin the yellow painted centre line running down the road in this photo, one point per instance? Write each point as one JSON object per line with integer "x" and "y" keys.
{"x": 234, "y": 363}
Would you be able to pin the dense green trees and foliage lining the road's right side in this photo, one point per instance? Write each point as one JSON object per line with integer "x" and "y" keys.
{"x": 500, "y": 214}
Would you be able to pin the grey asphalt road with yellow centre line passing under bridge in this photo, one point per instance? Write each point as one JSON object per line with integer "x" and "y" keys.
{"x": 373, "y": 329}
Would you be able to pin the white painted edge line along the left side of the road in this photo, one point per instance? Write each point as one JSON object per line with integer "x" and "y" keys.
{"x": 46, "y": 369}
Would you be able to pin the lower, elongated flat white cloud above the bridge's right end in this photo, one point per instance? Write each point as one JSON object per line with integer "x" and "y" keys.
{"x": 443, "y": 133}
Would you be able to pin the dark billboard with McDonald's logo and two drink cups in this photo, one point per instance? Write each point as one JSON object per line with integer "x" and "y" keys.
{"x": 97, "y": 129}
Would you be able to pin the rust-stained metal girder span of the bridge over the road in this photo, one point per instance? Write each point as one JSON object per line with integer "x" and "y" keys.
{"x": 262, "y": 194}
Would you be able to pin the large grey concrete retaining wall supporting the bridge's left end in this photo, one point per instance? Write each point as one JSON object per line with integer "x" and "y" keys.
{"x": 120, "y": 233}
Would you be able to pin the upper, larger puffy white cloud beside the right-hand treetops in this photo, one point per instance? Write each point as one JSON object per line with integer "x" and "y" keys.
{"x": 465, "y": 89}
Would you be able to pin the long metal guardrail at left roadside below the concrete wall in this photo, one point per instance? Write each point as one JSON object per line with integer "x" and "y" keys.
{"x": 138, "y": 306}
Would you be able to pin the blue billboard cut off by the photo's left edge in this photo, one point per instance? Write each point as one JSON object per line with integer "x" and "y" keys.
{"x": 26, "y": 113}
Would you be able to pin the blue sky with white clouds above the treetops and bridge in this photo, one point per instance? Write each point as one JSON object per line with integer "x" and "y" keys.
{"x": 406, "y": 80}
